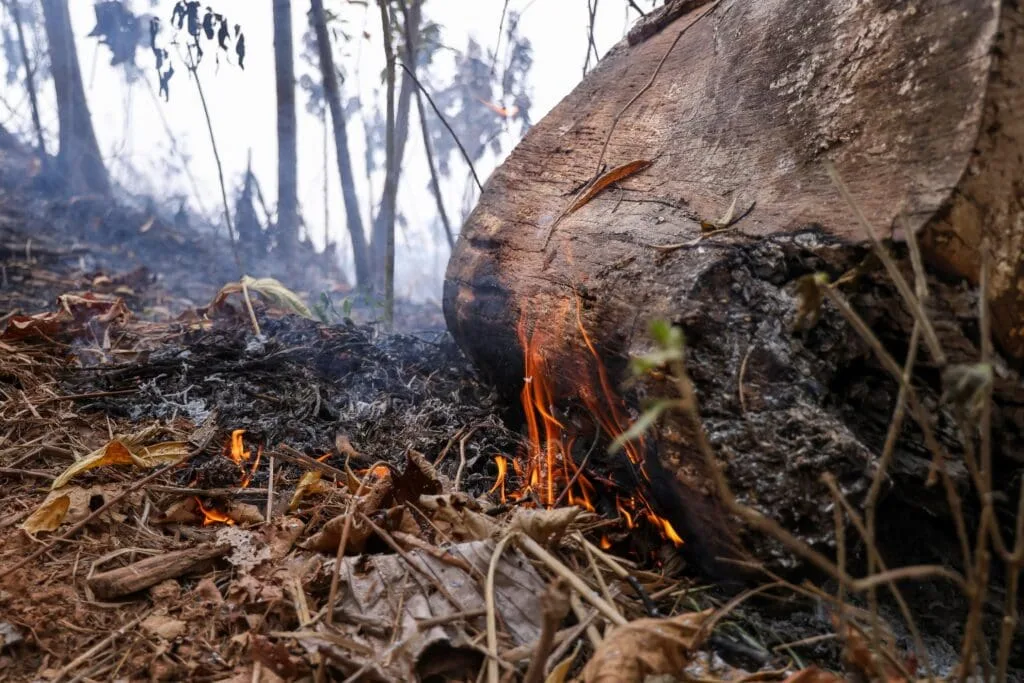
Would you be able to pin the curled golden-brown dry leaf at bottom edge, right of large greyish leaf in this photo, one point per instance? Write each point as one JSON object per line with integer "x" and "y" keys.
{"x": 646, "y": 648}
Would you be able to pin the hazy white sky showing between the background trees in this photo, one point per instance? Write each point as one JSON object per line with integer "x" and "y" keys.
{"x": 243, "y": 111}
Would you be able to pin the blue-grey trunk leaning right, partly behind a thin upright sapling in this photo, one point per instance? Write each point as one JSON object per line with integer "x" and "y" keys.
{"x": 385, "y": 224}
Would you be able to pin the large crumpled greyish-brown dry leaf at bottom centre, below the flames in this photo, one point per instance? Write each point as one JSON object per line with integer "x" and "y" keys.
{"x": 386, "y": 590}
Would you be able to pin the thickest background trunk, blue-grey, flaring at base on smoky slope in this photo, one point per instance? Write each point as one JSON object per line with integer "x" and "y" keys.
{"x": 79, "y": 160}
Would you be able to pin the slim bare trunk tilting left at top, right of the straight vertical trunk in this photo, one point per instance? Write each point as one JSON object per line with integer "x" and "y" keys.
{"x": 360, "y": 252}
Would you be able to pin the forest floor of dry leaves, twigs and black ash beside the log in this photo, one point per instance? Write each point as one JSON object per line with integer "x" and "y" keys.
{"x": 199, "y": 491}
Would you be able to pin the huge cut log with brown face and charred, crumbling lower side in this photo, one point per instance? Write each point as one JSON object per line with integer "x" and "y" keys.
{"x": 739, "y": 103}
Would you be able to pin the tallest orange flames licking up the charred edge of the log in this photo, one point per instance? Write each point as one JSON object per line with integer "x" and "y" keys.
{"x": 546, "y": 469}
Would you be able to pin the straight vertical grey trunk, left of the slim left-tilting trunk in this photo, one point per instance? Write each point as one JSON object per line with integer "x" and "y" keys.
{"x": 288, "y": 201}
